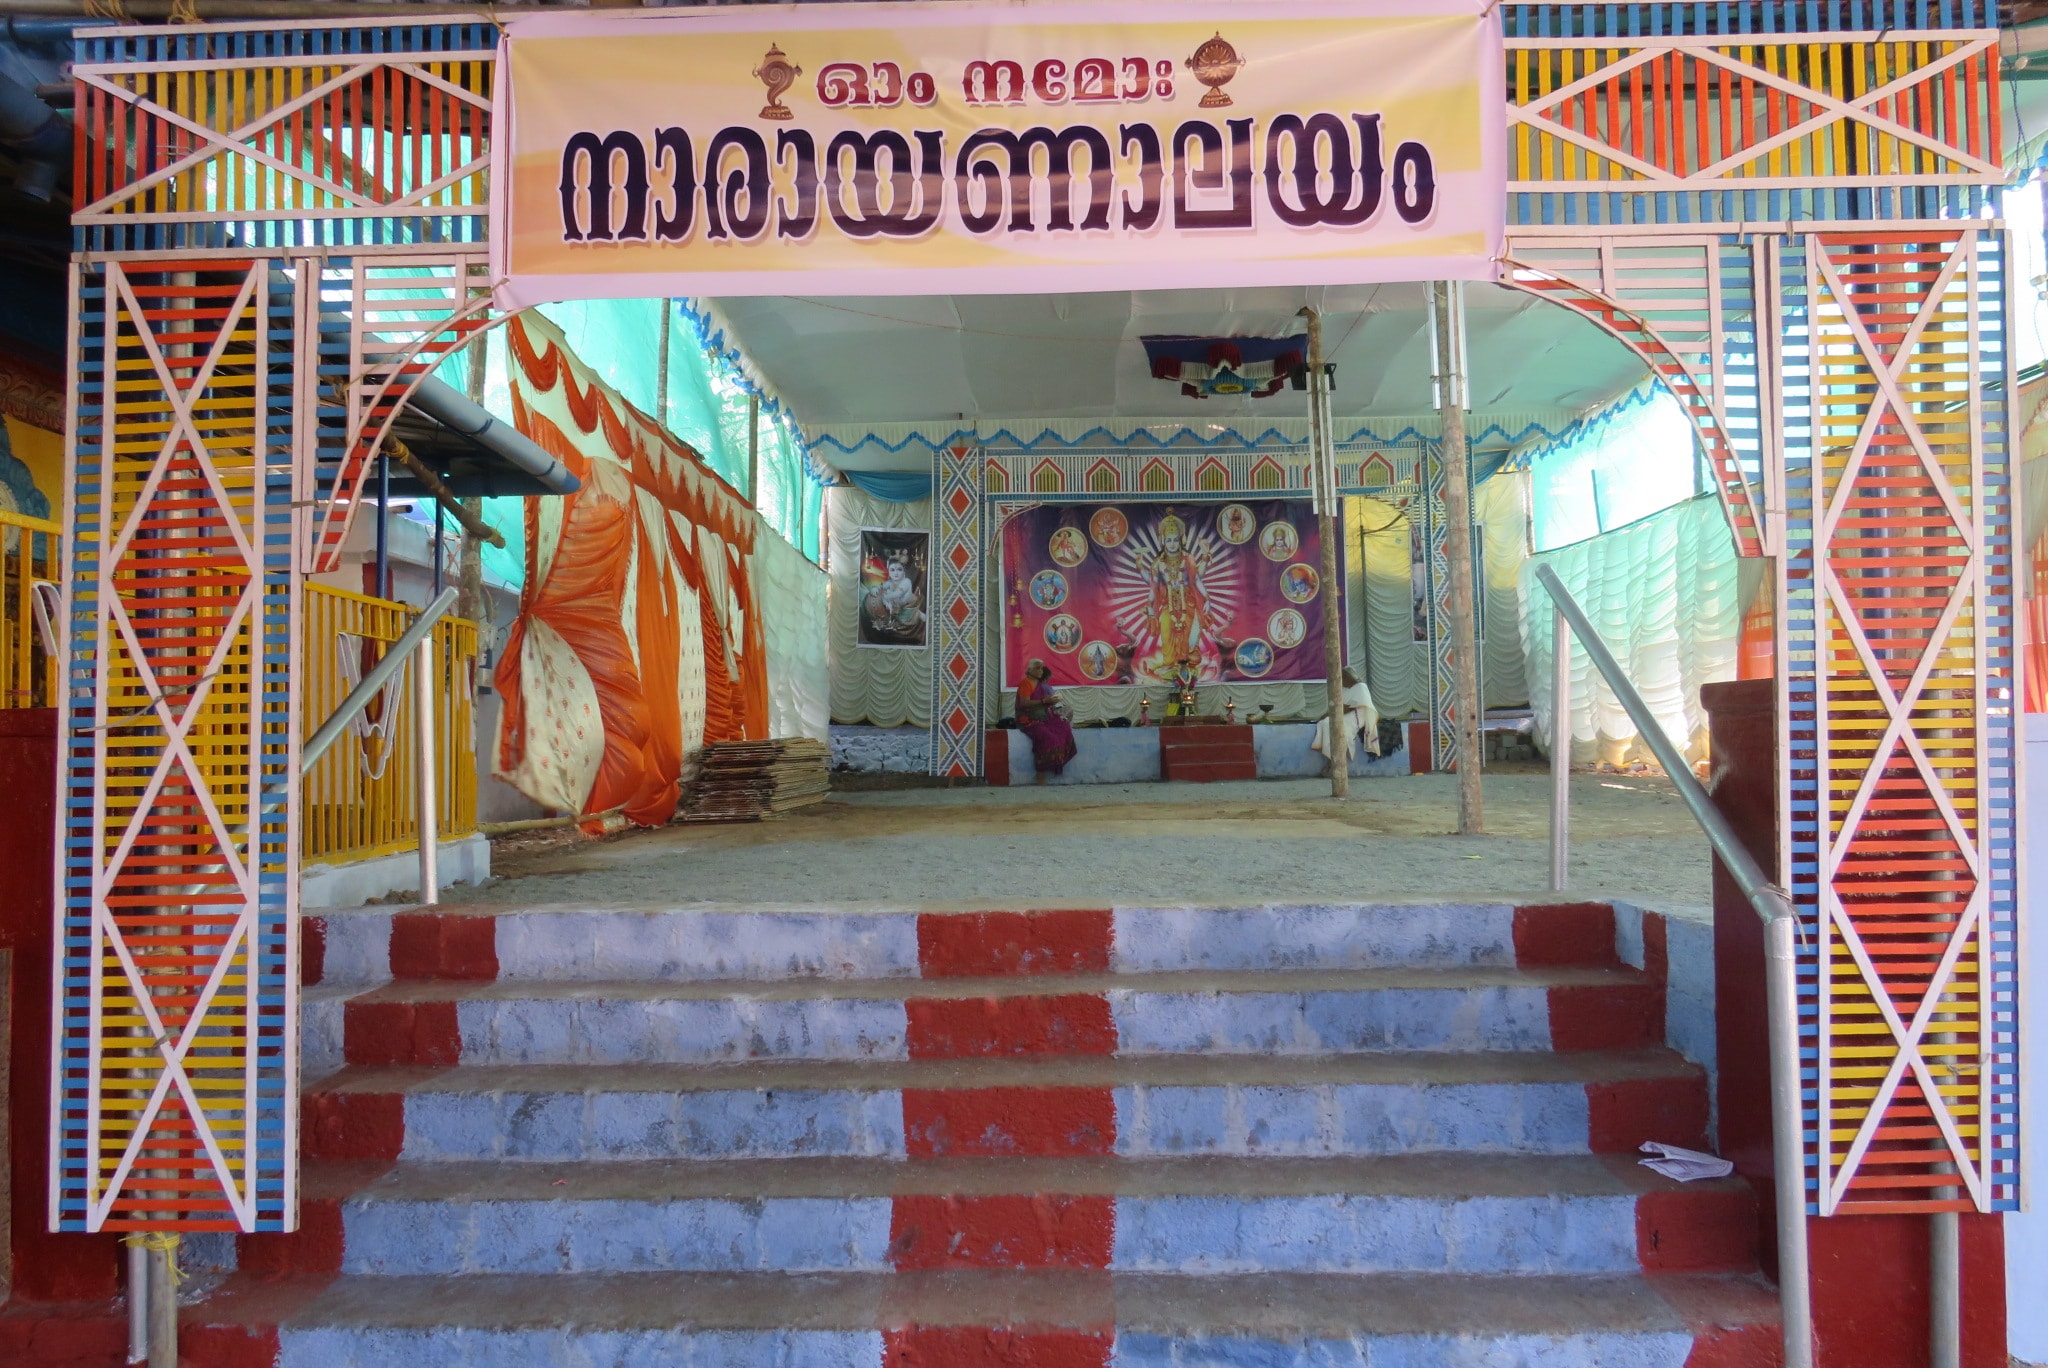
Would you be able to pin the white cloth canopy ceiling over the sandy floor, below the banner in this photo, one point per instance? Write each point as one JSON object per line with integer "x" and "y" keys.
{"x": 1054, "y": 359}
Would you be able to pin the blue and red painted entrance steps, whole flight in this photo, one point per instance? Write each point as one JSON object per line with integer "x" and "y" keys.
{"x": 1330, "y": 1138}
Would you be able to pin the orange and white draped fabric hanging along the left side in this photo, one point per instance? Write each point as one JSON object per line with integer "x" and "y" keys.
{"x": 613, "y": 583}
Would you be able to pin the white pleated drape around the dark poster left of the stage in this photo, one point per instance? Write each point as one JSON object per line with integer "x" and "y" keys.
{"x": 871, "y": 685}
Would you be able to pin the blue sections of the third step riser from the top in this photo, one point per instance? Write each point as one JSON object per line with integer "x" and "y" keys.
{"x": 1365, "y": 1119}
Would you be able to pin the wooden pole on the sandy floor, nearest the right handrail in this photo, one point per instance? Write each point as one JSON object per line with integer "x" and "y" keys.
{"x": 1449, "y": 302}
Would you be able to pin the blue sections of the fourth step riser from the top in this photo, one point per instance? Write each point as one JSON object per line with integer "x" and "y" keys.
{"x": 1154, "y": 1236}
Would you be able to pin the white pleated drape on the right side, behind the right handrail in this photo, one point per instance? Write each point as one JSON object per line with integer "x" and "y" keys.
{"x": 1666, "y": 597}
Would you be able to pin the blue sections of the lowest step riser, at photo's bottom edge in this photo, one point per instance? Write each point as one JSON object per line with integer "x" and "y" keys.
{"x": 796, "y": 1349}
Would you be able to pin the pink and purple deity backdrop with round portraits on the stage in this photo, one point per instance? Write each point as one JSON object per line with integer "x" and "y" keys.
{"x": 1123, "y": 593}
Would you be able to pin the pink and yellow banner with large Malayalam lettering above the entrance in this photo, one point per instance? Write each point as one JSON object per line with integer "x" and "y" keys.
{"x": 955, "y": 148}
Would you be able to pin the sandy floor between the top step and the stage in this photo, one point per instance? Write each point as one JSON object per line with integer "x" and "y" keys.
{"x": 1252, "y": 843}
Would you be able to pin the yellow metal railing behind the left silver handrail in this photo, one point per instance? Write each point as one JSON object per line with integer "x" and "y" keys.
{"x": 361, "y": 798}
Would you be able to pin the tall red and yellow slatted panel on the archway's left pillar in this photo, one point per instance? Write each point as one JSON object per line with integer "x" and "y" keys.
{"x": 173, "y": 1068}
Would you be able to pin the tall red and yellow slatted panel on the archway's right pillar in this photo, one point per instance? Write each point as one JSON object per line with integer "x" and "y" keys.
{"x": 1897, "y": 497}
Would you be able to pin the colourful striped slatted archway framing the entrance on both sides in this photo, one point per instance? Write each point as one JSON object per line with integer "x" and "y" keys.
{"x": 1781, "y": 208}
